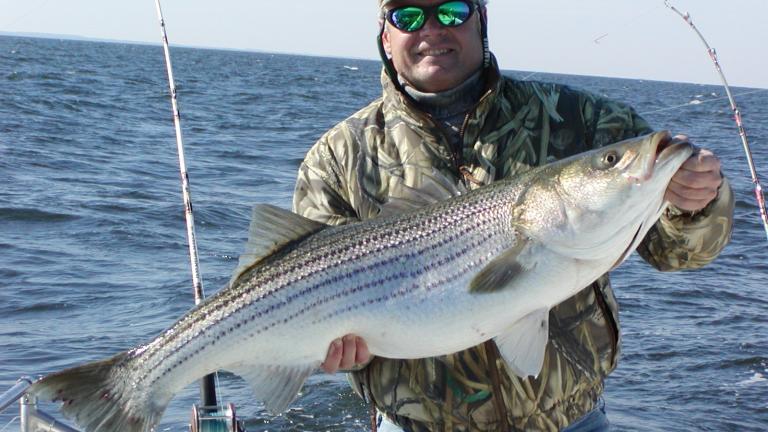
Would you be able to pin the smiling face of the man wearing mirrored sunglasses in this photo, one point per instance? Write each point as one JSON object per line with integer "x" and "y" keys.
{"x": 435, "y": 58}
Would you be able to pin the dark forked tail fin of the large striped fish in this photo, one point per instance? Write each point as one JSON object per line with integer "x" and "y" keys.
{"x": 94, "y": 396}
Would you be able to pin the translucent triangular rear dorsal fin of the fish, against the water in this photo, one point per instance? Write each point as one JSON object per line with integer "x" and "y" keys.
{"x": 272, "y": 228}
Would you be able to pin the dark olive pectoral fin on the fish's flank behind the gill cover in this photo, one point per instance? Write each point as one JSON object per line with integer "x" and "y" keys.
{"x": 502, "y": 270}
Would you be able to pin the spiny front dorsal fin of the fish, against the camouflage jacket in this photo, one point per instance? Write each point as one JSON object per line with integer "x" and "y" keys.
{"x": 431, "y": 187}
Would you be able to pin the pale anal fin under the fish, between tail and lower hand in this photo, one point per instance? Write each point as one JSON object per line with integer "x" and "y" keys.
{"x": 277, "y": 386}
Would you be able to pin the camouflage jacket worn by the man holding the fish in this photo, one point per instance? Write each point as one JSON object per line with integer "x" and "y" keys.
{"x": 354, "y": 169}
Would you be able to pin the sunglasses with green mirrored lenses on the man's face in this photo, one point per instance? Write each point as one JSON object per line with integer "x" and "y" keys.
{"x": 412, "y": 18}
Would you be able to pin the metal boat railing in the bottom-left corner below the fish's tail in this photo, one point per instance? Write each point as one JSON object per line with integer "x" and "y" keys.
{"x": 31, "y": 418}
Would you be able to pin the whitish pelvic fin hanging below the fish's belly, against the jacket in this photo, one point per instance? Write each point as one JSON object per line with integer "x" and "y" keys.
{"x": 523, "y": 345}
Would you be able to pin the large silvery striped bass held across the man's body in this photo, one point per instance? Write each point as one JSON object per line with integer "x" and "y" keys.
{"x": 432, "y": 281}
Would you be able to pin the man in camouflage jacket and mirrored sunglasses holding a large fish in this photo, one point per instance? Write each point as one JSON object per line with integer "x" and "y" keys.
{"x": 445, "y": 107}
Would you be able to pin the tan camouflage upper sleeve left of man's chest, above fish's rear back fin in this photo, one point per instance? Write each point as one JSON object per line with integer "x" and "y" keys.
{"x": 321, "y": 192}
